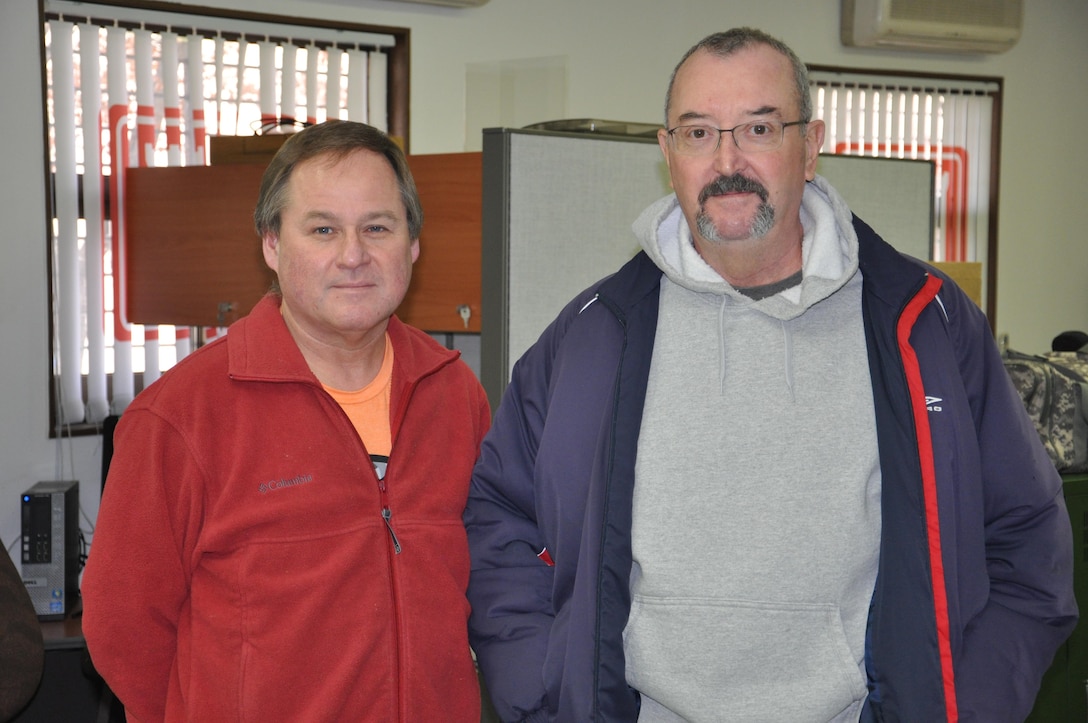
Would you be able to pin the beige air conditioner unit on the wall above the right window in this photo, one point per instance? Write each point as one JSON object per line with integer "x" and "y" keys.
{"x": 972, "y": 27}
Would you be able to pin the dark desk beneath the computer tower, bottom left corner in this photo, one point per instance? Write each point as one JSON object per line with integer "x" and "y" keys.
{"x": 71, "y": 691}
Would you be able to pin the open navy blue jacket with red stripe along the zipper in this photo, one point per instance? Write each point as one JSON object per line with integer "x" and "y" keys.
{"x": 974, "y": 593}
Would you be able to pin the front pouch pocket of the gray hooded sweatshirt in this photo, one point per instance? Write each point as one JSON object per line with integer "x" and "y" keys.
{"x": 710, "y": 659}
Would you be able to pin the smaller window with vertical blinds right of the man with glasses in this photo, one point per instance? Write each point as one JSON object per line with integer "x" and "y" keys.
{"x": 953, "y": 121}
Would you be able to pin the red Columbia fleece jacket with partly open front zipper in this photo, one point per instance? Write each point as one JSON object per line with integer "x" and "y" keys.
{"x": 244, "y": 567}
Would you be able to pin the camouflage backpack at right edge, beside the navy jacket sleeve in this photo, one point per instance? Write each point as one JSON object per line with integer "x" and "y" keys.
{"x": 1055, "y": 391}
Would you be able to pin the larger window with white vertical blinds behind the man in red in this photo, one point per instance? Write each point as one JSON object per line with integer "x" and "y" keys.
{"x": 137, "y": 85}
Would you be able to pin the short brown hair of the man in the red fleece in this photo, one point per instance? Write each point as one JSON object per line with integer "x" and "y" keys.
{"x": 338, "y": 140}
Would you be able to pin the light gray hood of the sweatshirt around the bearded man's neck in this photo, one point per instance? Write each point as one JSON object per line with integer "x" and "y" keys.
{"x": 829, "y": 253}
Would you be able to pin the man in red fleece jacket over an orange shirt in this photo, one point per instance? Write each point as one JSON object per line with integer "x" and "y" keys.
{"x": 281, "y": 537}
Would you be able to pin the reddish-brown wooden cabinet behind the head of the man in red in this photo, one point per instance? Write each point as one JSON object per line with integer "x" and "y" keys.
{"x": 193, "y": 258}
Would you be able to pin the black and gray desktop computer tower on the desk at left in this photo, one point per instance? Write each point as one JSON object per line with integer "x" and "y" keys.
{"x": 51, "y": 547}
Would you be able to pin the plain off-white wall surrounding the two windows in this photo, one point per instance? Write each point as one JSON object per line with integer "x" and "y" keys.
{"x": 617, "y": 56}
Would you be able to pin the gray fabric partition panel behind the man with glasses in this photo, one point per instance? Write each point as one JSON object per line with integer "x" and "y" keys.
{"x": 558, "y": 215}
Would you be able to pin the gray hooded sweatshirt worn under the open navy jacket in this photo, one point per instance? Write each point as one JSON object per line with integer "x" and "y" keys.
{"x": 757, "y": 519}
